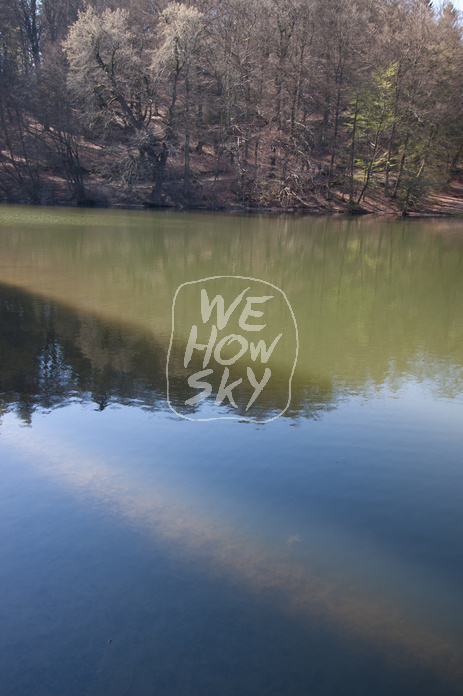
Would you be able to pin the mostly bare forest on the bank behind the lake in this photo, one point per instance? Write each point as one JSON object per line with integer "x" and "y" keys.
{"x": 316, "y": 105}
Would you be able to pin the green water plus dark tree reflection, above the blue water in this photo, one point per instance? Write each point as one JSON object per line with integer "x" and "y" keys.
{"x": 376, "y": 305}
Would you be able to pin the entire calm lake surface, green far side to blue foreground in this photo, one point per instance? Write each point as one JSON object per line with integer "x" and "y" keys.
{"x": 142, "y": 553}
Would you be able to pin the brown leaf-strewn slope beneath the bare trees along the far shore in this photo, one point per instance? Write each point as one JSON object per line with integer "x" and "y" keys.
{"x": 222, "y": 183}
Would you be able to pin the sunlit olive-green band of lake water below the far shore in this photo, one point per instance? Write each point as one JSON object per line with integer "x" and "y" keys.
{"x": 375, "y": 301}
